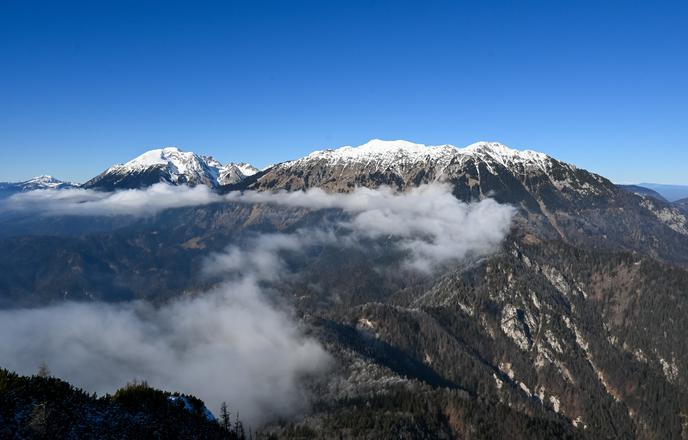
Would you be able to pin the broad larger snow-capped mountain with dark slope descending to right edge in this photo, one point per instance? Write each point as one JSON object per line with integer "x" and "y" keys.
{"x": 552, "y": 197}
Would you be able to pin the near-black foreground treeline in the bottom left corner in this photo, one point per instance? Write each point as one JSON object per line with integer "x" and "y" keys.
{"x": 44, "y": 407}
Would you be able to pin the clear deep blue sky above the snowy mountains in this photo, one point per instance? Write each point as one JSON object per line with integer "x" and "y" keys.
{"x": 602, "y": 84}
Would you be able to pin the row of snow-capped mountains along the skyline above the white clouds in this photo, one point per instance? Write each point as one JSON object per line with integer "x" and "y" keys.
{"x": 554, "y": 198}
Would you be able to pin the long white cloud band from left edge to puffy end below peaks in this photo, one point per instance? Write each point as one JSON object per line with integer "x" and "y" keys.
{"x": 428, "y": 221}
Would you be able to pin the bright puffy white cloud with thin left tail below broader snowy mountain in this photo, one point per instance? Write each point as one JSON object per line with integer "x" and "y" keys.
{"x": 428, "y": 221}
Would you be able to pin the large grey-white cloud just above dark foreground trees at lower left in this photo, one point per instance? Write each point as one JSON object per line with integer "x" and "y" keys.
{"x": 230, "y": 344}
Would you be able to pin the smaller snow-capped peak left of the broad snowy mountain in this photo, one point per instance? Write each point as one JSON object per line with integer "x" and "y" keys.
{"x": 170, "y": 165}
